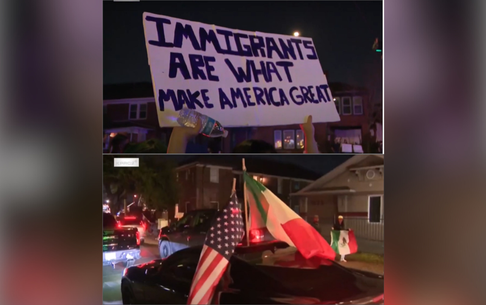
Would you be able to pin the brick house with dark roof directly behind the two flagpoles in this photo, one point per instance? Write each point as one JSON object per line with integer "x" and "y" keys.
{"x": 207, "y": 181}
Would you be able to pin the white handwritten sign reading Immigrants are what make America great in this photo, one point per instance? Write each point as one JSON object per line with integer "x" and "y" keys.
{"x": 239, "y": 78}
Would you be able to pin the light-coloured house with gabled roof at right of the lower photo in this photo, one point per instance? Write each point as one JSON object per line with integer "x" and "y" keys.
{"x": 354, "y": 190}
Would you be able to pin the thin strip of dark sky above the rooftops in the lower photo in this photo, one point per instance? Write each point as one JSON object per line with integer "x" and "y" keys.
{"x": 319, "y": 164}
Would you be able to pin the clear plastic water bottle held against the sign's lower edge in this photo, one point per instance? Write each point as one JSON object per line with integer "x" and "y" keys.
{"x": 209, "y": 127}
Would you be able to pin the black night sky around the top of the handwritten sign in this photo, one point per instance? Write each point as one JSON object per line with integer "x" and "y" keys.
{"x": 343, "y": 33}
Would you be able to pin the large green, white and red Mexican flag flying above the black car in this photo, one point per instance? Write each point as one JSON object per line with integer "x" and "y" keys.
{"x": 267, "y": 210}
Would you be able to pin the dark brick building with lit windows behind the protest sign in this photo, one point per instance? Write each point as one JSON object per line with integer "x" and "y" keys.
{"x": 130, "y": 110}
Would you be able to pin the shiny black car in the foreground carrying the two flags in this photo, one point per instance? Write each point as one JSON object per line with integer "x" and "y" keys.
{"x": 260, "y": 276}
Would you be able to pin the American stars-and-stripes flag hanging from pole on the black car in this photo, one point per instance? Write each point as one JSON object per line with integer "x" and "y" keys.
{"x": 225, "y": 233}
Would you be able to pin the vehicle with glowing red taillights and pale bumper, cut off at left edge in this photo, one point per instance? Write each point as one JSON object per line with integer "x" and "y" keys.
{"x": 119, "y": 244}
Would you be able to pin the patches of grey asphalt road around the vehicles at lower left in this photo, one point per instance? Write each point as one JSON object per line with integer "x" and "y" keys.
{"x": 112, "y": 277}
